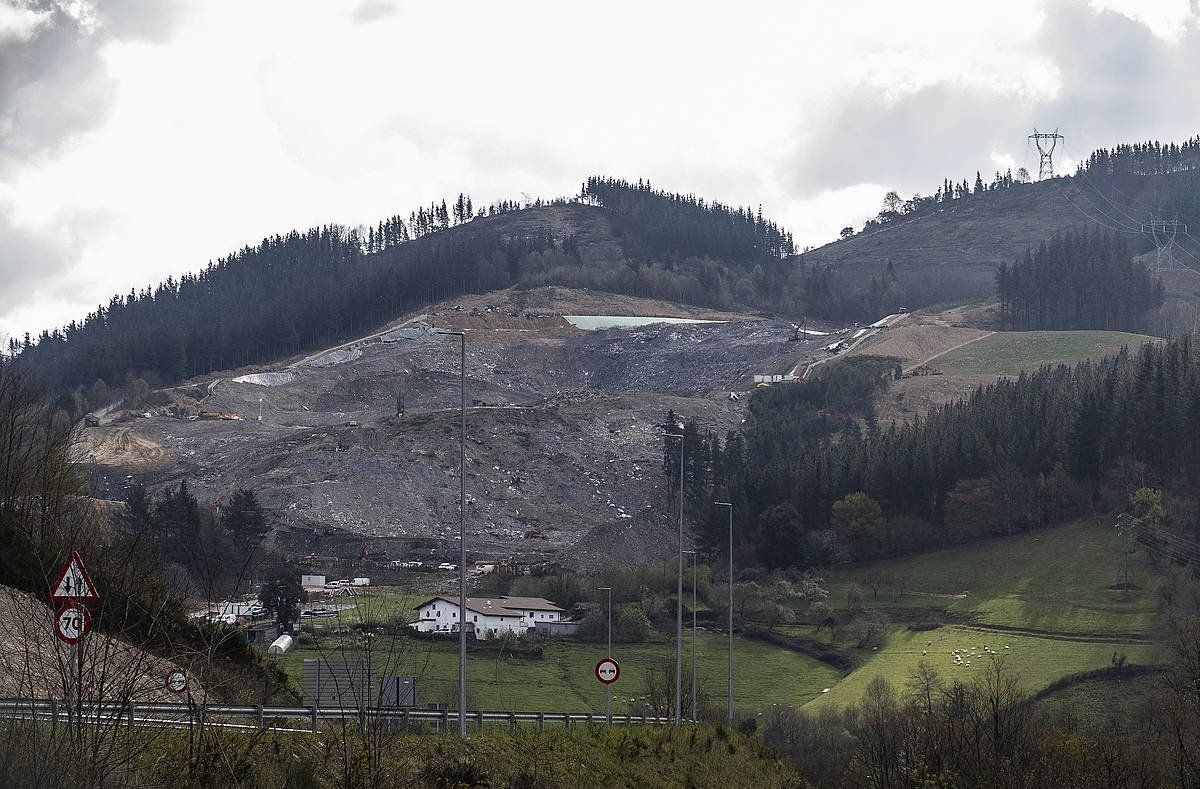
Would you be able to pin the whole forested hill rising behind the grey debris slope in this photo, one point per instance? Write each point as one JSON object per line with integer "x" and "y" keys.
{"x": 308, "y": 290}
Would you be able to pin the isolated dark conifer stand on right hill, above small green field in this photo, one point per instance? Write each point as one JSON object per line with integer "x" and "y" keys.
{"x": 1081, "y": 280}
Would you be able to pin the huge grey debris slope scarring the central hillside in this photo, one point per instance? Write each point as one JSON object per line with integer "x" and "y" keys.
{"x": 563, "y": 426}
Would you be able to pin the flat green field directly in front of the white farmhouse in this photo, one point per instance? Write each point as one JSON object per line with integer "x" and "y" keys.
{"x": 563, "y": 679}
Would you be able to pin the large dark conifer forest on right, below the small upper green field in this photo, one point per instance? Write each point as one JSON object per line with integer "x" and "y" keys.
{"x": 814, "y": 486}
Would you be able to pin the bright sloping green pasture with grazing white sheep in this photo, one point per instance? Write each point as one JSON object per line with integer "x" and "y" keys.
{"x": 1047, "y": 597}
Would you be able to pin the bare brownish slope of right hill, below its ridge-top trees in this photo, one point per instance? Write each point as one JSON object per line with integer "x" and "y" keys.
{"x": 951, "y": 252}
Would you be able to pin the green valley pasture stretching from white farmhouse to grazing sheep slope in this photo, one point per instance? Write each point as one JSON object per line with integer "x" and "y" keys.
{"x": 1048, "y": 597}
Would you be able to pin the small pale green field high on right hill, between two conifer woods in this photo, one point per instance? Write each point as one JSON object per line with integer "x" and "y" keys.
{"x": 1010, "y": 353}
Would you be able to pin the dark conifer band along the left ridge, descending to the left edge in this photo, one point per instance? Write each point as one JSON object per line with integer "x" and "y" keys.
{"x": 287, "y": 294}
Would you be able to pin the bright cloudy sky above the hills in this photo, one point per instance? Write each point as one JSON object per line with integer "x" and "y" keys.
{"x": 141, "y": 138}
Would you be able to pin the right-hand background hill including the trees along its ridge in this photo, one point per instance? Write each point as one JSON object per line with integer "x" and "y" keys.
{"x": 949, "y": 245}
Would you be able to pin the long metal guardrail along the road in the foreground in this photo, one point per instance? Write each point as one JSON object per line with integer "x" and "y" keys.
{"x": 178, "y": 715}
